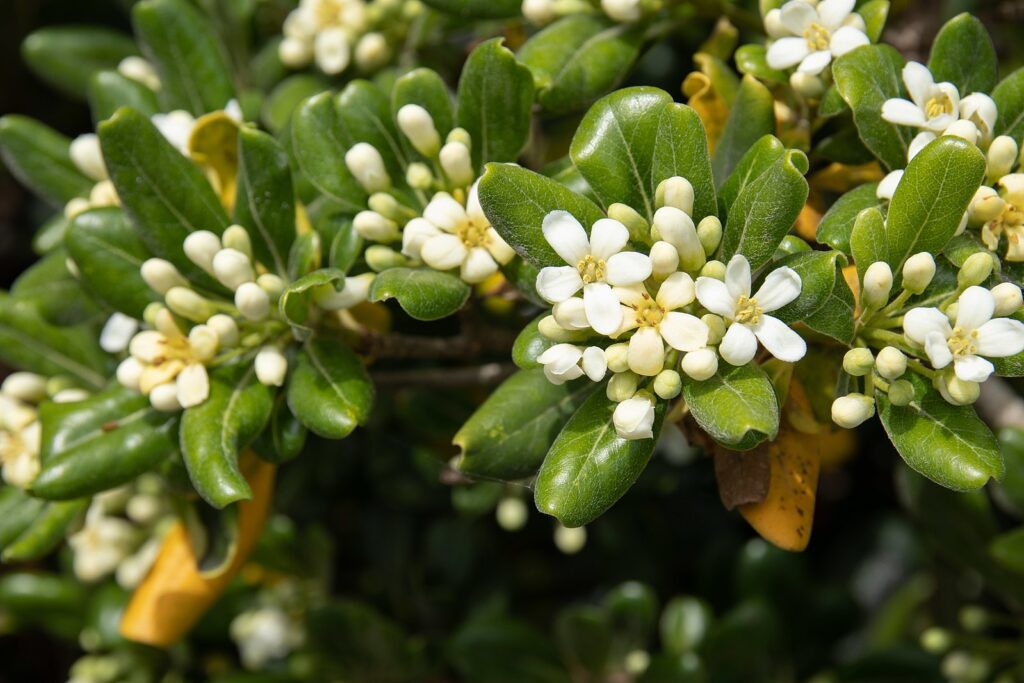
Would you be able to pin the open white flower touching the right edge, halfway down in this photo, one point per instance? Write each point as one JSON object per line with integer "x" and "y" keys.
{"x": 975, "y": 335}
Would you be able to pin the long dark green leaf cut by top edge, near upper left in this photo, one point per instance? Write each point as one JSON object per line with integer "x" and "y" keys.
{"x": 184, "y": 47}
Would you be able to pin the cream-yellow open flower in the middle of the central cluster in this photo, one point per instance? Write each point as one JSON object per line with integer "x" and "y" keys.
{"x": 657, "y": 319}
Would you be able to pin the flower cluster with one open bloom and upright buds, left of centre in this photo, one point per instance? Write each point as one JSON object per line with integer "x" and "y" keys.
{"x": 453, "y": 232}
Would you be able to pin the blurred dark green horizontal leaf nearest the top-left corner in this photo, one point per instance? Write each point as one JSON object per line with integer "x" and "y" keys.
{"x": 66, "y": 57}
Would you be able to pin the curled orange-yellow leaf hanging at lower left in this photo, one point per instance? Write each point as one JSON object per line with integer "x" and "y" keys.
{"x": 175, "y": 595}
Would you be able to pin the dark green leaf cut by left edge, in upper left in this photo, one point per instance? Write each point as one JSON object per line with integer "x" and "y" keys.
{"x": 38, "y": 157}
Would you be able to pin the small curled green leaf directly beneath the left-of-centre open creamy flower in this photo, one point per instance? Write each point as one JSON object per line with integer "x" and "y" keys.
{"x": 423, "y": 293}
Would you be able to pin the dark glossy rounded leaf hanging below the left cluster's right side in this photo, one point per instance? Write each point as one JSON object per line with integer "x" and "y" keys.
{"x": 330, "y": 391}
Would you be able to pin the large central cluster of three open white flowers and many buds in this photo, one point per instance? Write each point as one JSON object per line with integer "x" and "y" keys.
{"x": 654, "y": 301}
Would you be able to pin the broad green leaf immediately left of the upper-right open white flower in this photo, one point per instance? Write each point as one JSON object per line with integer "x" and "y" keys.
{"x": 867, "y": 78}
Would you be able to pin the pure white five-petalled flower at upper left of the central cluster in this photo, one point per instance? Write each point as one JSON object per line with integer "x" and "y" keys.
{"x": 594, "y": 265}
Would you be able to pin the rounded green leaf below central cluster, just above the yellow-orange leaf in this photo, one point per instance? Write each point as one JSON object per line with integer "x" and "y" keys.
{"x": 738, "y": 407}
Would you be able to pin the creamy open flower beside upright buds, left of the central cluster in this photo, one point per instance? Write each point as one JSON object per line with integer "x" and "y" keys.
{"x": 450, "y": 236}
